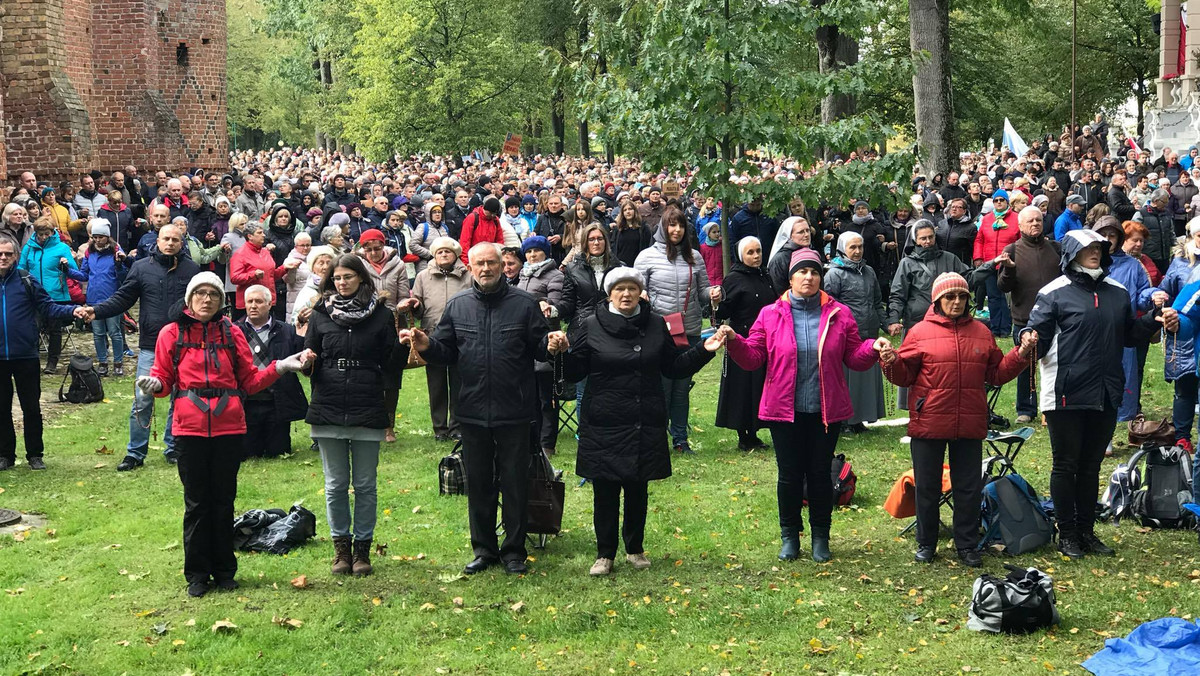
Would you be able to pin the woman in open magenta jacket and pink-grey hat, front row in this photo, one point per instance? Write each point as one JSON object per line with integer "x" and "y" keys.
{"x": 805, "y": 338}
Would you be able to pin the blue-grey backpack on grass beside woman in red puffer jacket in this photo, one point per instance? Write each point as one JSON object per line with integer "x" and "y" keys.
{"x": 1012, "y": 515}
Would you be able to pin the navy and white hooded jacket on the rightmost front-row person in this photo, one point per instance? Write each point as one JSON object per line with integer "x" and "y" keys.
{"x": 1083, "y": 326}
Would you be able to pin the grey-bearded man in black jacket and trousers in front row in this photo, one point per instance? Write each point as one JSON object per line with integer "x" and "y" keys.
{"x": 493, "y": 333}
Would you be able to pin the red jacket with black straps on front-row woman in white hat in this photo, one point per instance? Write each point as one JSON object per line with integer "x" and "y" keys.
{"x": 215, "y": 367}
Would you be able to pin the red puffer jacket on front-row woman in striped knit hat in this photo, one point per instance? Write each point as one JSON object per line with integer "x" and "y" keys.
{"x": 946, "y": 364}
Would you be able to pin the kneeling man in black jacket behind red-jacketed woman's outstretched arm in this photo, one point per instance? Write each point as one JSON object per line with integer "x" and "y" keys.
{"x": 269, "y": 414}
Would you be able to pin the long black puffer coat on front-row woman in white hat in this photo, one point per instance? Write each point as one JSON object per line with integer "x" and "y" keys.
{"x": 623, "y": 436}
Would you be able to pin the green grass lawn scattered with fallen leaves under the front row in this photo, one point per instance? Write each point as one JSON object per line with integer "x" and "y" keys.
{"x": 99, "y": 590}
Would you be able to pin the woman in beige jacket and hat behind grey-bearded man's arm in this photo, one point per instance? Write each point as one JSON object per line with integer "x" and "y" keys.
{"x": 434, "y": 288}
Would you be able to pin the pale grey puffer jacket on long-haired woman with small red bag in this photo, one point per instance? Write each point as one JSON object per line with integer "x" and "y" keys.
{"x": 669, "y": 286}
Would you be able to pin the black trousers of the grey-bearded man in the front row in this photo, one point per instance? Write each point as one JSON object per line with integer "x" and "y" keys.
{"x": 497, "y": 463}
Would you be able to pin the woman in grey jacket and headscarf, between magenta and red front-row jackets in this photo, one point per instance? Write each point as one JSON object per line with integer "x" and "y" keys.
{"x": 853, "y": 283}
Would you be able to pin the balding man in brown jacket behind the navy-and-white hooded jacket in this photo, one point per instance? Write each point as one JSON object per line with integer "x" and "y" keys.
{"x": 1025, "y": 267}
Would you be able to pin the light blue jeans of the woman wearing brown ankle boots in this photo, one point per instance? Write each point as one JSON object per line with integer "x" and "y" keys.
{"x": 346, "y": 462}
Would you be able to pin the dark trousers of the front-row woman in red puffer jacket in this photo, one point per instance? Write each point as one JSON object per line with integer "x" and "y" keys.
{"x": 967, "y": 477}
